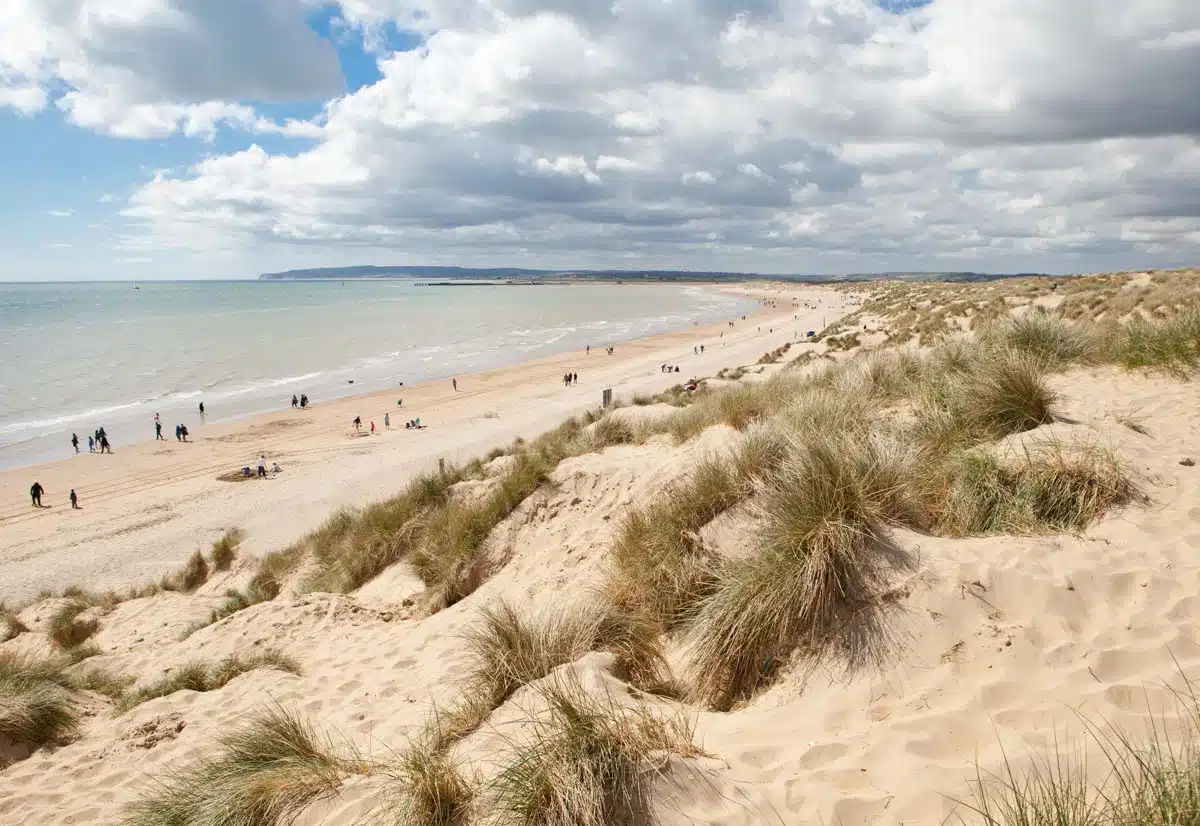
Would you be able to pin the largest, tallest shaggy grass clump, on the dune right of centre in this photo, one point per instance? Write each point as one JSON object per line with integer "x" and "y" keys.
{"x": 820, "y": 530}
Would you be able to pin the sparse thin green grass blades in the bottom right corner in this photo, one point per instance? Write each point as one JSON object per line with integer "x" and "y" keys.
{"x": 1149, "y": 780}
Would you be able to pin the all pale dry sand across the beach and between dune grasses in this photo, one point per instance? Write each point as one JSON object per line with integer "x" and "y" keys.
{"x": 995, "y": 643}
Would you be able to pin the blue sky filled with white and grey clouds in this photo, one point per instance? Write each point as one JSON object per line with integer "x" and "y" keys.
{"x": 225, "y": 139}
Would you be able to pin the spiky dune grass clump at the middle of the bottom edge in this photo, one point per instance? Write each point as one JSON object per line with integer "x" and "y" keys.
{"x": 589, "y": 762}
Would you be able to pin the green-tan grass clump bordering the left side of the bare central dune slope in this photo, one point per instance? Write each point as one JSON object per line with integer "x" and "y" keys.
{"x": 449, "y": 558}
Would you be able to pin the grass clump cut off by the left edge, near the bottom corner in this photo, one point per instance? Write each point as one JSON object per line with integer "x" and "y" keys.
{"x": 37, "y": 705}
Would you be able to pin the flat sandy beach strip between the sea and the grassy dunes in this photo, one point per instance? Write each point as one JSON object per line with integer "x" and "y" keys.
{"x": 152, "y": 504}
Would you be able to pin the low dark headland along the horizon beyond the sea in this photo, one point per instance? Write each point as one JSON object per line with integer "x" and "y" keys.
{"x": 454, "y": 277}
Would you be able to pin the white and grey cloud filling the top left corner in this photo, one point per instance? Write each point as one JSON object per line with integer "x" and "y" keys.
{"x": 146, "y": 69}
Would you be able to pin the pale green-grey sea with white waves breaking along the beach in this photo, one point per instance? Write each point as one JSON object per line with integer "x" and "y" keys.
{"x": 77, "y": 357}
